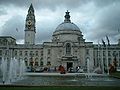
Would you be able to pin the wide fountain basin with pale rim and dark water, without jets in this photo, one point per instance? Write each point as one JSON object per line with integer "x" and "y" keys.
{"x": 68, "y": 79}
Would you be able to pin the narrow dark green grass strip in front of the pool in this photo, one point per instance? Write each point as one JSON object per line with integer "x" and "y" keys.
{"x": 60, "y": 88}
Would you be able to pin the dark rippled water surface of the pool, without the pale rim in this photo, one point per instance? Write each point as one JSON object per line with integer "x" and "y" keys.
{"x": 68, "y": 80}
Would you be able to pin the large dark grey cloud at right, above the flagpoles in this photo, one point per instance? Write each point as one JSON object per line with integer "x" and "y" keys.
{"x": 107, "y": 22}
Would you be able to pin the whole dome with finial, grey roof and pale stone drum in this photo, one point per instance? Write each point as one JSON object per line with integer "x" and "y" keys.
{"x": 67, "y": 31}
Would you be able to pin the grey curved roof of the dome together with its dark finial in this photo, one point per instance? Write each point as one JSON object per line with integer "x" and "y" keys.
{"x": 67, "y": 24}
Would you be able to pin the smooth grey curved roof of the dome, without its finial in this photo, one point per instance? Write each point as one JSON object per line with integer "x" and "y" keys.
{"x": 67, "y": 26}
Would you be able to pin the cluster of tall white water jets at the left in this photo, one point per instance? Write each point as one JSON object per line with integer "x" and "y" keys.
{"x": 14, "y": 72}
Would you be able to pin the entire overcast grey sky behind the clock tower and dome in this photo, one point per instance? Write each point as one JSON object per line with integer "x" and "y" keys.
{"x": 95, "y": 18}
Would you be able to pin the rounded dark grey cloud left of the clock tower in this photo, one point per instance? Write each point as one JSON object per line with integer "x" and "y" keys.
{"x": 14, "y": 27}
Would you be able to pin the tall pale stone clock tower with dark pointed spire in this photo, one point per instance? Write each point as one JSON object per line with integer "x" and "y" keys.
{"x": 30, "y": 28}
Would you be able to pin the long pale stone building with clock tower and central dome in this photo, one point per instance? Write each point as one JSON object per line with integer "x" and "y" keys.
{"x": 67, "y": 47}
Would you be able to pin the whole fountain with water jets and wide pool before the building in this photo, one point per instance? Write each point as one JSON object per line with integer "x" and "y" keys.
{"x": 14, "y": 76}
